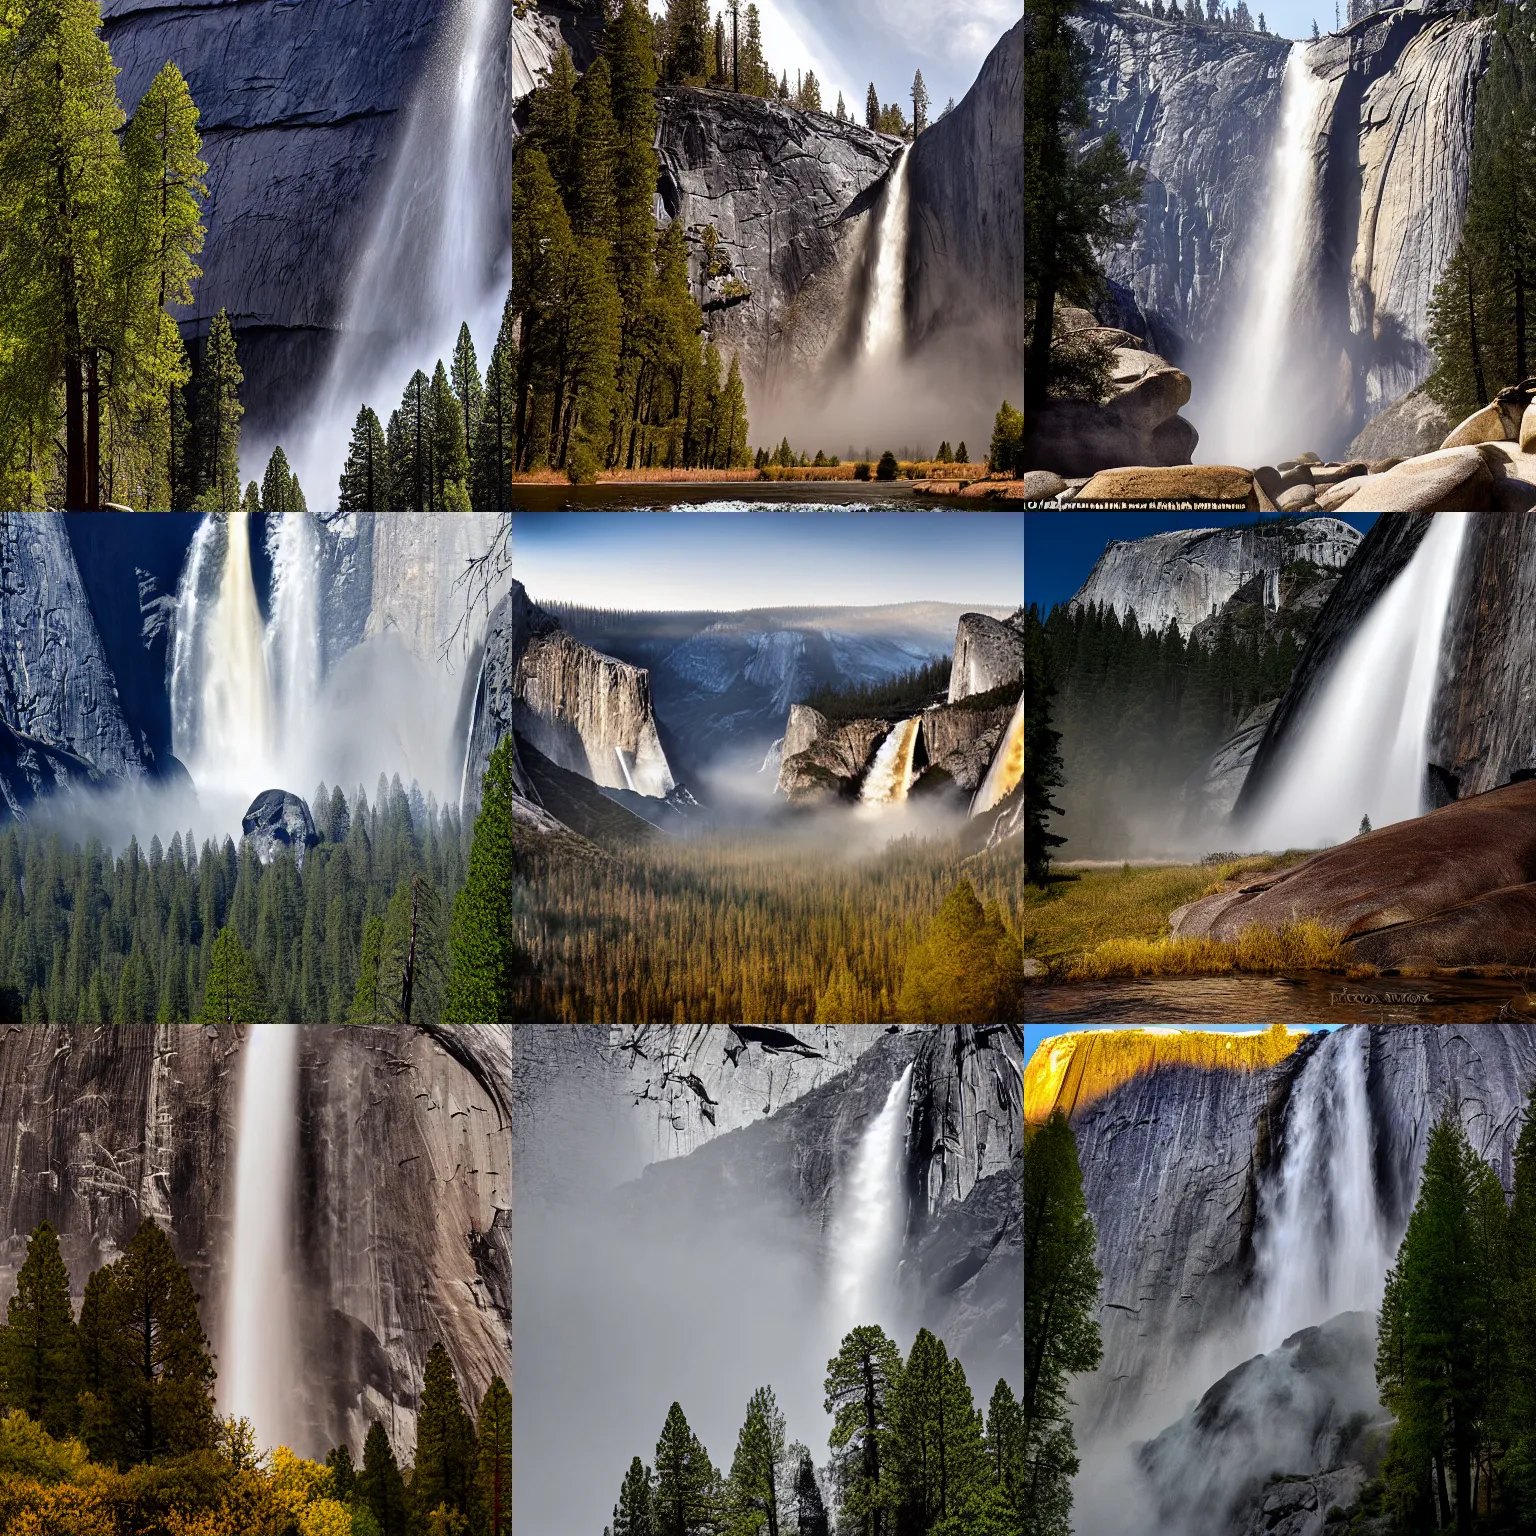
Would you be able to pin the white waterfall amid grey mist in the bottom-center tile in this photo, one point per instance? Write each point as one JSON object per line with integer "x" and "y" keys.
{"x": 872, "y": 1219}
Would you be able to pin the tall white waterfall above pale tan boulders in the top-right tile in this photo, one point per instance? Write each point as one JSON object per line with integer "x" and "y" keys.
{"x": 1259, "y": 399}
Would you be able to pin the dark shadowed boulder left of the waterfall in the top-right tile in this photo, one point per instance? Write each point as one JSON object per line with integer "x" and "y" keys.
{"x": 1139, "y": 425}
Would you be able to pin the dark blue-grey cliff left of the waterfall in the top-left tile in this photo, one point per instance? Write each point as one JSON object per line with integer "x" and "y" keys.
{"x": 300, "y": 111}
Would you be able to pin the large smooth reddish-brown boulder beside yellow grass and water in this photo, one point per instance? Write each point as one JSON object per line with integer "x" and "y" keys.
{"x": 1395, "y": 881}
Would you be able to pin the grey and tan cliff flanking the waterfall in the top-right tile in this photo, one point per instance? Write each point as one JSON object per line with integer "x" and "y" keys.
{"x": 1199, "y": 108}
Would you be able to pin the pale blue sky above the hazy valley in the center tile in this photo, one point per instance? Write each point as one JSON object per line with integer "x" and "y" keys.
{"x": 753, "y": 560}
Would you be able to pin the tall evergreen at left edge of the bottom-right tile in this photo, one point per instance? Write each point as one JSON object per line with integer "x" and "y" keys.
{"x": 1061, "y": 1331}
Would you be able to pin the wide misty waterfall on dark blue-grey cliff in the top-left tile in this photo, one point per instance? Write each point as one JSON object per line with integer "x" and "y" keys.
{"x": 439, "y": 253}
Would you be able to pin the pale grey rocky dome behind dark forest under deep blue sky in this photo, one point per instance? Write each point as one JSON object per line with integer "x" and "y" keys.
{"x": 1191, "y": 575}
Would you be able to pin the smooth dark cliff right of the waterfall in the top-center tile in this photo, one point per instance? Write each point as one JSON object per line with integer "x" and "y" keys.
{"x": 967, "y": 213}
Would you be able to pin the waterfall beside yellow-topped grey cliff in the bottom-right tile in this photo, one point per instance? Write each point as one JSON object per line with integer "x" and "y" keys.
{"x": 1323, "y": 1248}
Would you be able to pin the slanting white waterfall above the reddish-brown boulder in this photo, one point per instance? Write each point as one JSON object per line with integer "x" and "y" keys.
{"x": 1362, "y": 749}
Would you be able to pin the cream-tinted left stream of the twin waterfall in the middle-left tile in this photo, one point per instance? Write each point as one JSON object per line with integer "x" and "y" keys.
{"x": 220, "y": 689}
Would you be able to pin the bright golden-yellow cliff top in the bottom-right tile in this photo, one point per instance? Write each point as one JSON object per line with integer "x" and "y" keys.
{"x": 1071, "y": 1071}
